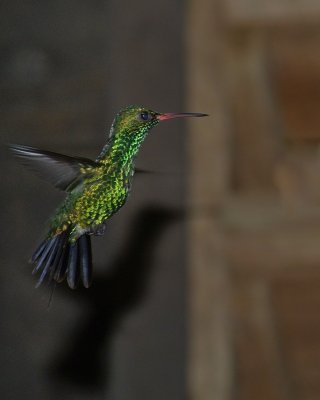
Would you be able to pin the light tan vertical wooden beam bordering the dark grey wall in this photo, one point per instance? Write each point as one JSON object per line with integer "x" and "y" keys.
{"x": 210, "y": 362}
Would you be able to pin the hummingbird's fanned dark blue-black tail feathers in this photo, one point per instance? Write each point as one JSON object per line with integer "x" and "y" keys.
{"x": 58, "y": 258}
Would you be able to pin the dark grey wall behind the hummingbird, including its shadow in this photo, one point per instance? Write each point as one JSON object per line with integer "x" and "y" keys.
{"x": 66, "y": 68}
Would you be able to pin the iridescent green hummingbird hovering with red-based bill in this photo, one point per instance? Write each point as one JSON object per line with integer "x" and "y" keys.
{"x": 95, "y": 191}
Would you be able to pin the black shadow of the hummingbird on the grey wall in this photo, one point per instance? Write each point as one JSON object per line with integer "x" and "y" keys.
{"x": 83, "y": 362}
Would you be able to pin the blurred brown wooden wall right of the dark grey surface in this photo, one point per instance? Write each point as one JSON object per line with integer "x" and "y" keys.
{"x": 255, "y": 223}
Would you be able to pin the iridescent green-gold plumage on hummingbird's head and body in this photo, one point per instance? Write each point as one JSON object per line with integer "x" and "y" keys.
{"x": 104, "y": 188}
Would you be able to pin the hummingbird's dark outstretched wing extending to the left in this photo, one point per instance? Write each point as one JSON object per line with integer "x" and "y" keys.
{"x": 64, "y": 172}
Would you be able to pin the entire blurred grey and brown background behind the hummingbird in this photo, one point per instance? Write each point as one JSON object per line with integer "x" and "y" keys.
{"x": 207, "y": 283}
